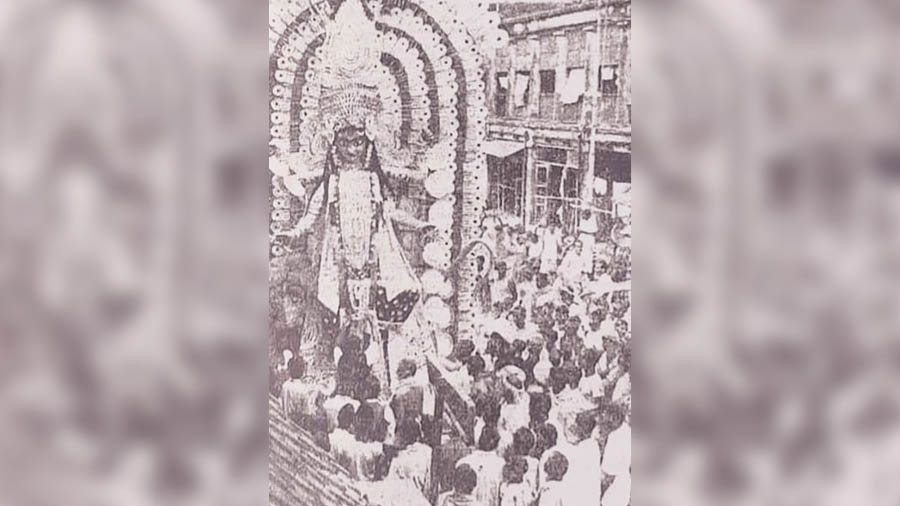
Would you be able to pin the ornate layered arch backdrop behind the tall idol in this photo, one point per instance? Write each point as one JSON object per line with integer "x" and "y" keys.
{"x": 431, "y": 83}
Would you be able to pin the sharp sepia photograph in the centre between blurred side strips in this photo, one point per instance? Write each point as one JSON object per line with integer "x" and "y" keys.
{"x": 450, "y": 253}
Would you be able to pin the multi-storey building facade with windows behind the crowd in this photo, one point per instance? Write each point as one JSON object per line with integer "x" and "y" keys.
{"x": 559, "y": 133}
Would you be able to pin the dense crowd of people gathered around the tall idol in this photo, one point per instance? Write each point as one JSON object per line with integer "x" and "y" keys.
{"x": 546, "y": 376}
